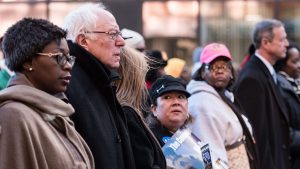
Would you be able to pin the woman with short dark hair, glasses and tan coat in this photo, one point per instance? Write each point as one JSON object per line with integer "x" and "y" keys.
{"x": 35, "y": 129}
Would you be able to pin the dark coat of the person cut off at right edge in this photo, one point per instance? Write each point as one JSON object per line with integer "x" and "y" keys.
{"x": 293, "y": 105}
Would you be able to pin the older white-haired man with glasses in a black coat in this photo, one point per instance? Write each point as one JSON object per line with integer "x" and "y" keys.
{"x": 96, "y": 41}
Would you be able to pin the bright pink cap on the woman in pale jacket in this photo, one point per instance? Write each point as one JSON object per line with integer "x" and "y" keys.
{"x": 213, "y": 51}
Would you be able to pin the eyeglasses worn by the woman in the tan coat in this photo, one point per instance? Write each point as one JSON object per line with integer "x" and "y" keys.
{"x": 61, "y": 58}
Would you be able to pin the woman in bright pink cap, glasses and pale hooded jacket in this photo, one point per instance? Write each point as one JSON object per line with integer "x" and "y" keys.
{"x": 218, "y": 120}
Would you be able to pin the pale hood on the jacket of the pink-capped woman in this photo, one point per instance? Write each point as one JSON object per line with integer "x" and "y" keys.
{"x": 195, "y": 86}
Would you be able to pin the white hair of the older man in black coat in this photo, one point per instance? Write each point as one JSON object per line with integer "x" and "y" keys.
{"x": 81, "y": 19}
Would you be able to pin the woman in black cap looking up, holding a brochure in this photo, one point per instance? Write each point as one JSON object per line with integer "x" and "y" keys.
{"x": 169, "y": 107}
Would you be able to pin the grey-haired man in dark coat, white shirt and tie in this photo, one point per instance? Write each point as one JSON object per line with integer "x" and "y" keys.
{"x": 260, "y": 97}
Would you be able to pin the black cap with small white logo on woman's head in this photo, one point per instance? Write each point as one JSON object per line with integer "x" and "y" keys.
{"x": 166, "y": 84}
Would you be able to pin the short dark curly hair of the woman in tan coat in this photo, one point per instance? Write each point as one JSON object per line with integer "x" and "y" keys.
{"x": 27, "y": 37}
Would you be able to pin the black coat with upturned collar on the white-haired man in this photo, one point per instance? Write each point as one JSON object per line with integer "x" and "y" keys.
{"x": 98, "y": 115}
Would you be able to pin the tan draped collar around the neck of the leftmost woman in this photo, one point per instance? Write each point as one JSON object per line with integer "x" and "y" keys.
{"x": 20, "y": 89}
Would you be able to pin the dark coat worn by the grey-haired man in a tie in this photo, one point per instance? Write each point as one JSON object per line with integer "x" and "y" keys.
{"x": 264, "y": 106}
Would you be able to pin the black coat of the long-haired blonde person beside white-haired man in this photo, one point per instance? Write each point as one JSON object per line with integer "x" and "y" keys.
{"x": 147, "y": 151}
